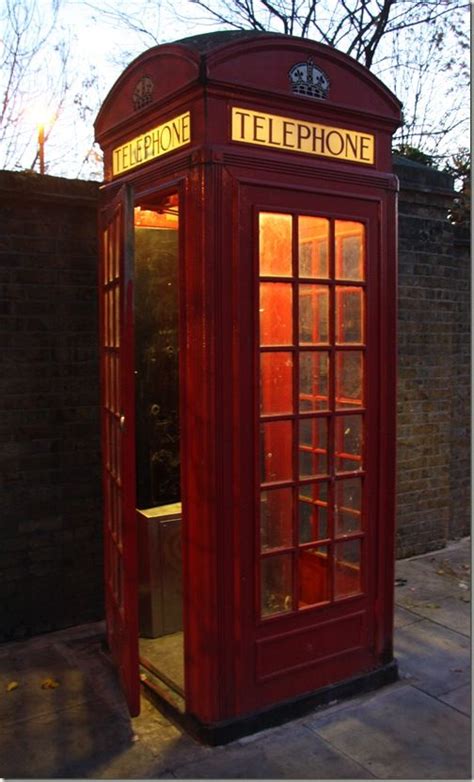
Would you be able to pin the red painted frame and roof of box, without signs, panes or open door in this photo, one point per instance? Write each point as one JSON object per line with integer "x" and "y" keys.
{"x": 232, "y": 656}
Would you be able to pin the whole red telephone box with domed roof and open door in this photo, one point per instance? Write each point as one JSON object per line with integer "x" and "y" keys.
{"x": 248, "y": 303}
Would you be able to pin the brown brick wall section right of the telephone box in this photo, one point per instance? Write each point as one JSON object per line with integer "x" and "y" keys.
{"x": 434, "y": 368}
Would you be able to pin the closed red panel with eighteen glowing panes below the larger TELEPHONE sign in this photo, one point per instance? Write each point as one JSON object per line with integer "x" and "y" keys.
{"x": 313, "y": 282}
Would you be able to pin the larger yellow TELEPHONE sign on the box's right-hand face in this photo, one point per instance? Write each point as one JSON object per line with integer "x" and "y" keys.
{"x": 272, "y": 130}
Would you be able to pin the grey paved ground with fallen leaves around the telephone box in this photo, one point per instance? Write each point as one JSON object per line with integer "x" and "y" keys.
{"x": 418, "y": 728}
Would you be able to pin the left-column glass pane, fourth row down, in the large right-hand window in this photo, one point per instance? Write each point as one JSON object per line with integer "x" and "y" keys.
{"x": 276, "y": 449}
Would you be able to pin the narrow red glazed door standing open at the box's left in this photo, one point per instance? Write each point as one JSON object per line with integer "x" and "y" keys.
{"x": 118, "y": 441}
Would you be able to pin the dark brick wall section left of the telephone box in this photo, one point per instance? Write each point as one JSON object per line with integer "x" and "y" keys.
{"x": 50, "y": 528}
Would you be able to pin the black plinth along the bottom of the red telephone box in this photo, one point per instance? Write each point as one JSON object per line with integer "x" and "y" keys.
{"x": 218, "y": 733}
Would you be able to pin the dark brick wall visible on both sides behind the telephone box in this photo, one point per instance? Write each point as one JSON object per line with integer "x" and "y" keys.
{"x": 50, "y": 490}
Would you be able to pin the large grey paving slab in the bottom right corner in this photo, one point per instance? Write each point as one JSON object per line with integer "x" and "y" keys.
{"x": 402, "y": 734}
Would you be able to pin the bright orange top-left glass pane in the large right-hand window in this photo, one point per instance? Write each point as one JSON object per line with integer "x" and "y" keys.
{"x": 275, "y": 244}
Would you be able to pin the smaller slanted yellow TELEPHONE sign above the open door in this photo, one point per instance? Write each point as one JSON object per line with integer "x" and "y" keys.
{"x": 155, "y": 142}
